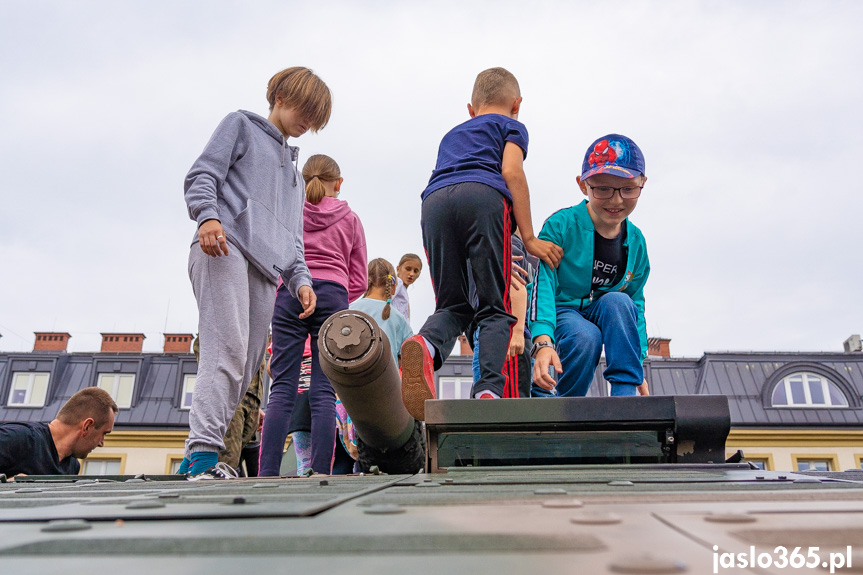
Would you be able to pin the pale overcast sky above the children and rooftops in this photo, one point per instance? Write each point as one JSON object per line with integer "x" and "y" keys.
{"x": 749, "y": 115}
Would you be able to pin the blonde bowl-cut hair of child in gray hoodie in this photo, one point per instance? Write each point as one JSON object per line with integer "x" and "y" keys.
{"x": 301, "y": 89}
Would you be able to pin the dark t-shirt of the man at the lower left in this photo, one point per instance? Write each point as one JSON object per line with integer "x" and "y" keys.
{"x": 29, "y": 448}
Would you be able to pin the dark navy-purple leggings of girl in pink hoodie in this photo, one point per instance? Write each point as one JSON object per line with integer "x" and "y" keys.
{"x": 289, "y": 339}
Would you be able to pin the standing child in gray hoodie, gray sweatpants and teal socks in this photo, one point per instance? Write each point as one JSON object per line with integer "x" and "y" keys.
{"x": 246, "y": 194}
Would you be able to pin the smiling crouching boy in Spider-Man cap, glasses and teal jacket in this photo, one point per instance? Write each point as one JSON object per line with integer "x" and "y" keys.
{"x": 595, "y": 297}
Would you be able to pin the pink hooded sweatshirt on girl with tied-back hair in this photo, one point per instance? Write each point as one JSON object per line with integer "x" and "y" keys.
{"x": 335, "y": 245}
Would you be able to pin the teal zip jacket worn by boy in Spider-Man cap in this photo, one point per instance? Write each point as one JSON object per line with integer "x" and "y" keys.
{"x": 570, "y": 284}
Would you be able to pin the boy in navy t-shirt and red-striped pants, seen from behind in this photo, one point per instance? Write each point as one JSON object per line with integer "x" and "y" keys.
{"x": 476, "y": 189}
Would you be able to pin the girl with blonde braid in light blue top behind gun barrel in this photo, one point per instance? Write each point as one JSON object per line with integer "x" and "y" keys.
{"x": 377, "y": 302}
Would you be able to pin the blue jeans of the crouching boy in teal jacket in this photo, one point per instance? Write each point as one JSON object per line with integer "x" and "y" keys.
{"x": 610, "y": 321}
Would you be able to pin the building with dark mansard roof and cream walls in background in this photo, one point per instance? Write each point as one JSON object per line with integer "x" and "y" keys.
{"x": 789, "y": 411}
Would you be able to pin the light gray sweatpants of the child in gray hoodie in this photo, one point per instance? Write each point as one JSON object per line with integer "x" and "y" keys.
{"x": 235, "y": 306}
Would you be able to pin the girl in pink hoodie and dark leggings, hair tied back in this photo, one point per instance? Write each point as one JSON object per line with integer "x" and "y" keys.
{"x": 335, "y": 253}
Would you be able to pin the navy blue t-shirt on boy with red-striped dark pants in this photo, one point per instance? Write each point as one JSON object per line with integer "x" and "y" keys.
{"x": 473, "y": 152}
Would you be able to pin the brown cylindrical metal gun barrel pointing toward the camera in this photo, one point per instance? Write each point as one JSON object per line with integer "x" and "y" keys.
{"x": 355, "y": 355}
